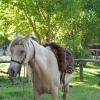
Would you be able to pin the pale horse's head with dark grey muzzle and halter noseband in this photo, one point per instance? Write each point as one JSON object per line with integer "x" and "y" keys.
{"x": 20, "y": 54}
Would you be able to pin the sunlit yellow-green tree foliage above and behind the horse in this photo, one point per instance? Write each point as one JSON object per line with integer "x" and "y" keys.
{"x": 73, "y": 23}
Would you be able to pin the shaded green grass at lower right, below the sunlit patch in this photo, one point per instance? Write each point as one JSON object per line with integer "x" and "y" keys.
{"x": 81, "y": 92}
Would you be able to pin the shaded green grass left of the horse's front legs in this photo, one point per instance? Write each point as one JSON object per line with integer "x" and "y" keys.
{"x": 15, "y": 92}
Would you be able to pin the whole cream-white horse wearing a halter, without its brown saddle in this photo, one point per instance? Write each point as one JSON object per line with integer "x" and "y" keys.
{"x": 43, "y": 63}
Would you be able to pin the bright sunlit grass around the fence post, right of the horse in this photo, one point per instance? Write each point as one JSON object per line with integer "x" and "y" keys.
{"x": 90, "y": 76}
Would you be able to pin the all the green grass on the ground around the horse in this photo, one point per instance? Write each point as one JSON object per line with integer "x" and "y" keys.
{"x": 89, "y": 89}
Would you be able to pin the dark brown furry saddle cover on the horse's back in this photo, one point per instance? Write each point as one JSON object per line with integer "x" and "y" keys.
{"x": 64, "y": 57}
